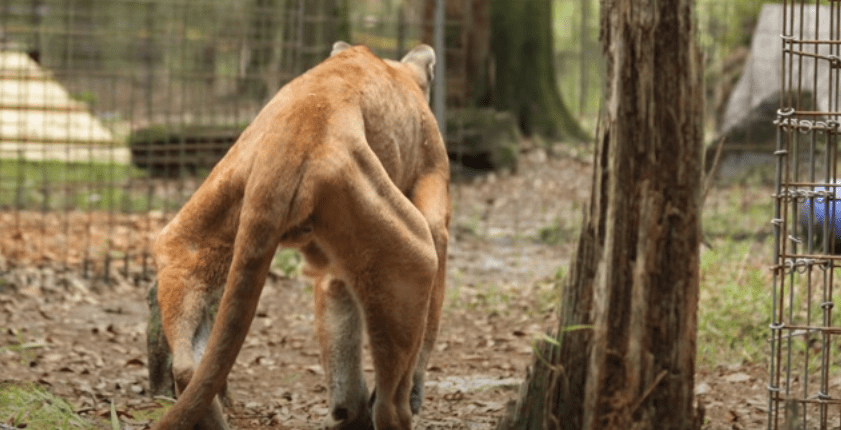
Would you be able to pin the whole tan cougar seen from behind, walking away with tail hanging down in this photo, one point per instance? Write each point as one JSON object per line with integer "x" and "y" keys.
{"x": 346, "y": 165}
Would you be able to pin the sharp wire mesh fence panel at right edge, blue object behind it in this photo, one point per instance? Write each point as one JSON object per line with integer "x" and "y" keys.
{"x": 805, "y": 383}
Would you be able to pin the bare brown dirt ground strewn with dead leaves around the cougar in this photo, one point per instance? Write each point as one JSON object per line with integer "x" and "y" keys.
{"x": 87, "y": 342}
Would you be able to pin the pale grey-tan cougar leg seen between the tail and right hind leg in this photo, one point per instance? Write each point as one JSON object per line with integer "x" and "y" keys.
{"x": 339, "y": 330}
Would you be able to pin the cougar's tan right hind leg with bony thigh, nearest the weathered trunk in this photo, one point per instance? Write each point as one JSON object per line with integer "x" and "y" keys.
{"x": 383, "y": 245}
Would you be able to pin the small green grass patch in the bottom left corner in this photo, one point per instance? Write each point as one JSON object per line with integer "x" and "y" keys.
{"x": 31, "y": 406}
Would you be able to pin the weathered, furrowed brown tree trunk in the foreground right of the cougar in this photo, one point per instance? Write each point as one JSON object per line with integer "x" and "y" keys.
{"x": 634, "y": 280}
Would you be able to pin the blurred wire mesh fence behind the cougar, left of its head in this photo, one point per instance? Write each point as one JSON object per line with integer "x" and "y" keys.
{"x": 112, "y": 111}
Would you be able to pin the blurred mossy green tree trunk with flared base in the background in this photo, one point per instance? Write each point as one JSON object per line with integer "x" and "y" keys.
{"x": 522, "y": 48}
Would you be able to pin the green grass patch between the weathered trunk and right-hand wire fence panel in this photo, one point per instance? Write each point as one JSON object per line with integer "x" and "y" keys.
{"x": 734, "y": 307}
